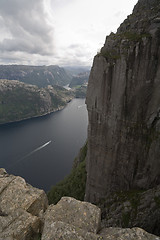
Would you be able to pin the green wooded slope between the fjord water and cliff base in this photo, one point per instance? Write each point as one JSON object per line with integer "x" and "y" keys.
{"x": 74, "y": 184}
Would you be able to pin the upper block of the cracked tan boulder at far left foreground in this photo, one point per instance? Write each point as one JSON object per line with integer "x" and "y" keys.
{"x": 16, "y": 193}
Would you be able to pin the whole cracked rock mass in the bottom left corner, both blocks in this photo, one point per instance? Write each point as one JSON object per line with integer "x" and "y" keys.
{"x": 21, "y": 208}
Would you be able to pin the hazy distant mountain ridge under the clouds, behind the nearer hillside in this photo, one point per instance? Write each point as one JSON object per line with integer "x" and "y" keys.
{"x": 41, "y": 76}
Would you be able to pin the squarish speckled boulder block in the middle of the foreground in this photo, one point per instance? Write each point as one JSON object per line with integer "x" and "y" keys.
{"x": 68, "y": 210}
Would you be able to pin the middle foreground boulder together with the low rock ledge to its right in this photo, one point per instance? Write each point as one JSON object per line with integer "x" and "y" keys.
{"x": 72, "y": 219}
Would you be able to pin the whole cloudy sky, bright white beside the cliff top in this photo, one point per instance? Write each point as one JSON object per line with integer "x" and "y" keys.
{"x": 57, "y": 32}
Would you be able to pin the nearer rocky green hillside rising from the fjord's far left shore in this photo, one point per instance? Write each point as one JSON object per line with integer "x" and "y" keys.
{"x": 20, "y": 101}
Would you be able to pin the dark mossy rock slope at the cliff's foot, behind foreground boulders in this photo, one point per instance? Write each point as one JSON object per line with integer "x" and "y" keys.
{"x": 133, "y": 209}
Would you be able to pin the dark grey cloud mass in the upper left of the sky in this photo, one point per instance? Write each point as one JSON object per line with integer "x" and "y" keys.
{"x": 25, "y": 27}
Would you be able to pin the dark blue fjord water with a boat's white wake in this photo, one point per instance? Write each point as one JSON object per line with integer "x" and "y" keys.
{"x": 42, "y": 150}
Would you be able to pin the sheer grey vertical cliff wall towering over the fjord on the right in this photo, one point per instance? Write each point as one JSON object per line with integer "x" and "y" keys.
{"x": 123, "y": 101}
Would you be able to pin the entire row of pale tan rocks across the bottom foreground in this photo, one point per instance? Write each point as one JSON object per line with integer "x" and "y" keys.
{"x": 25, "y": 215}
